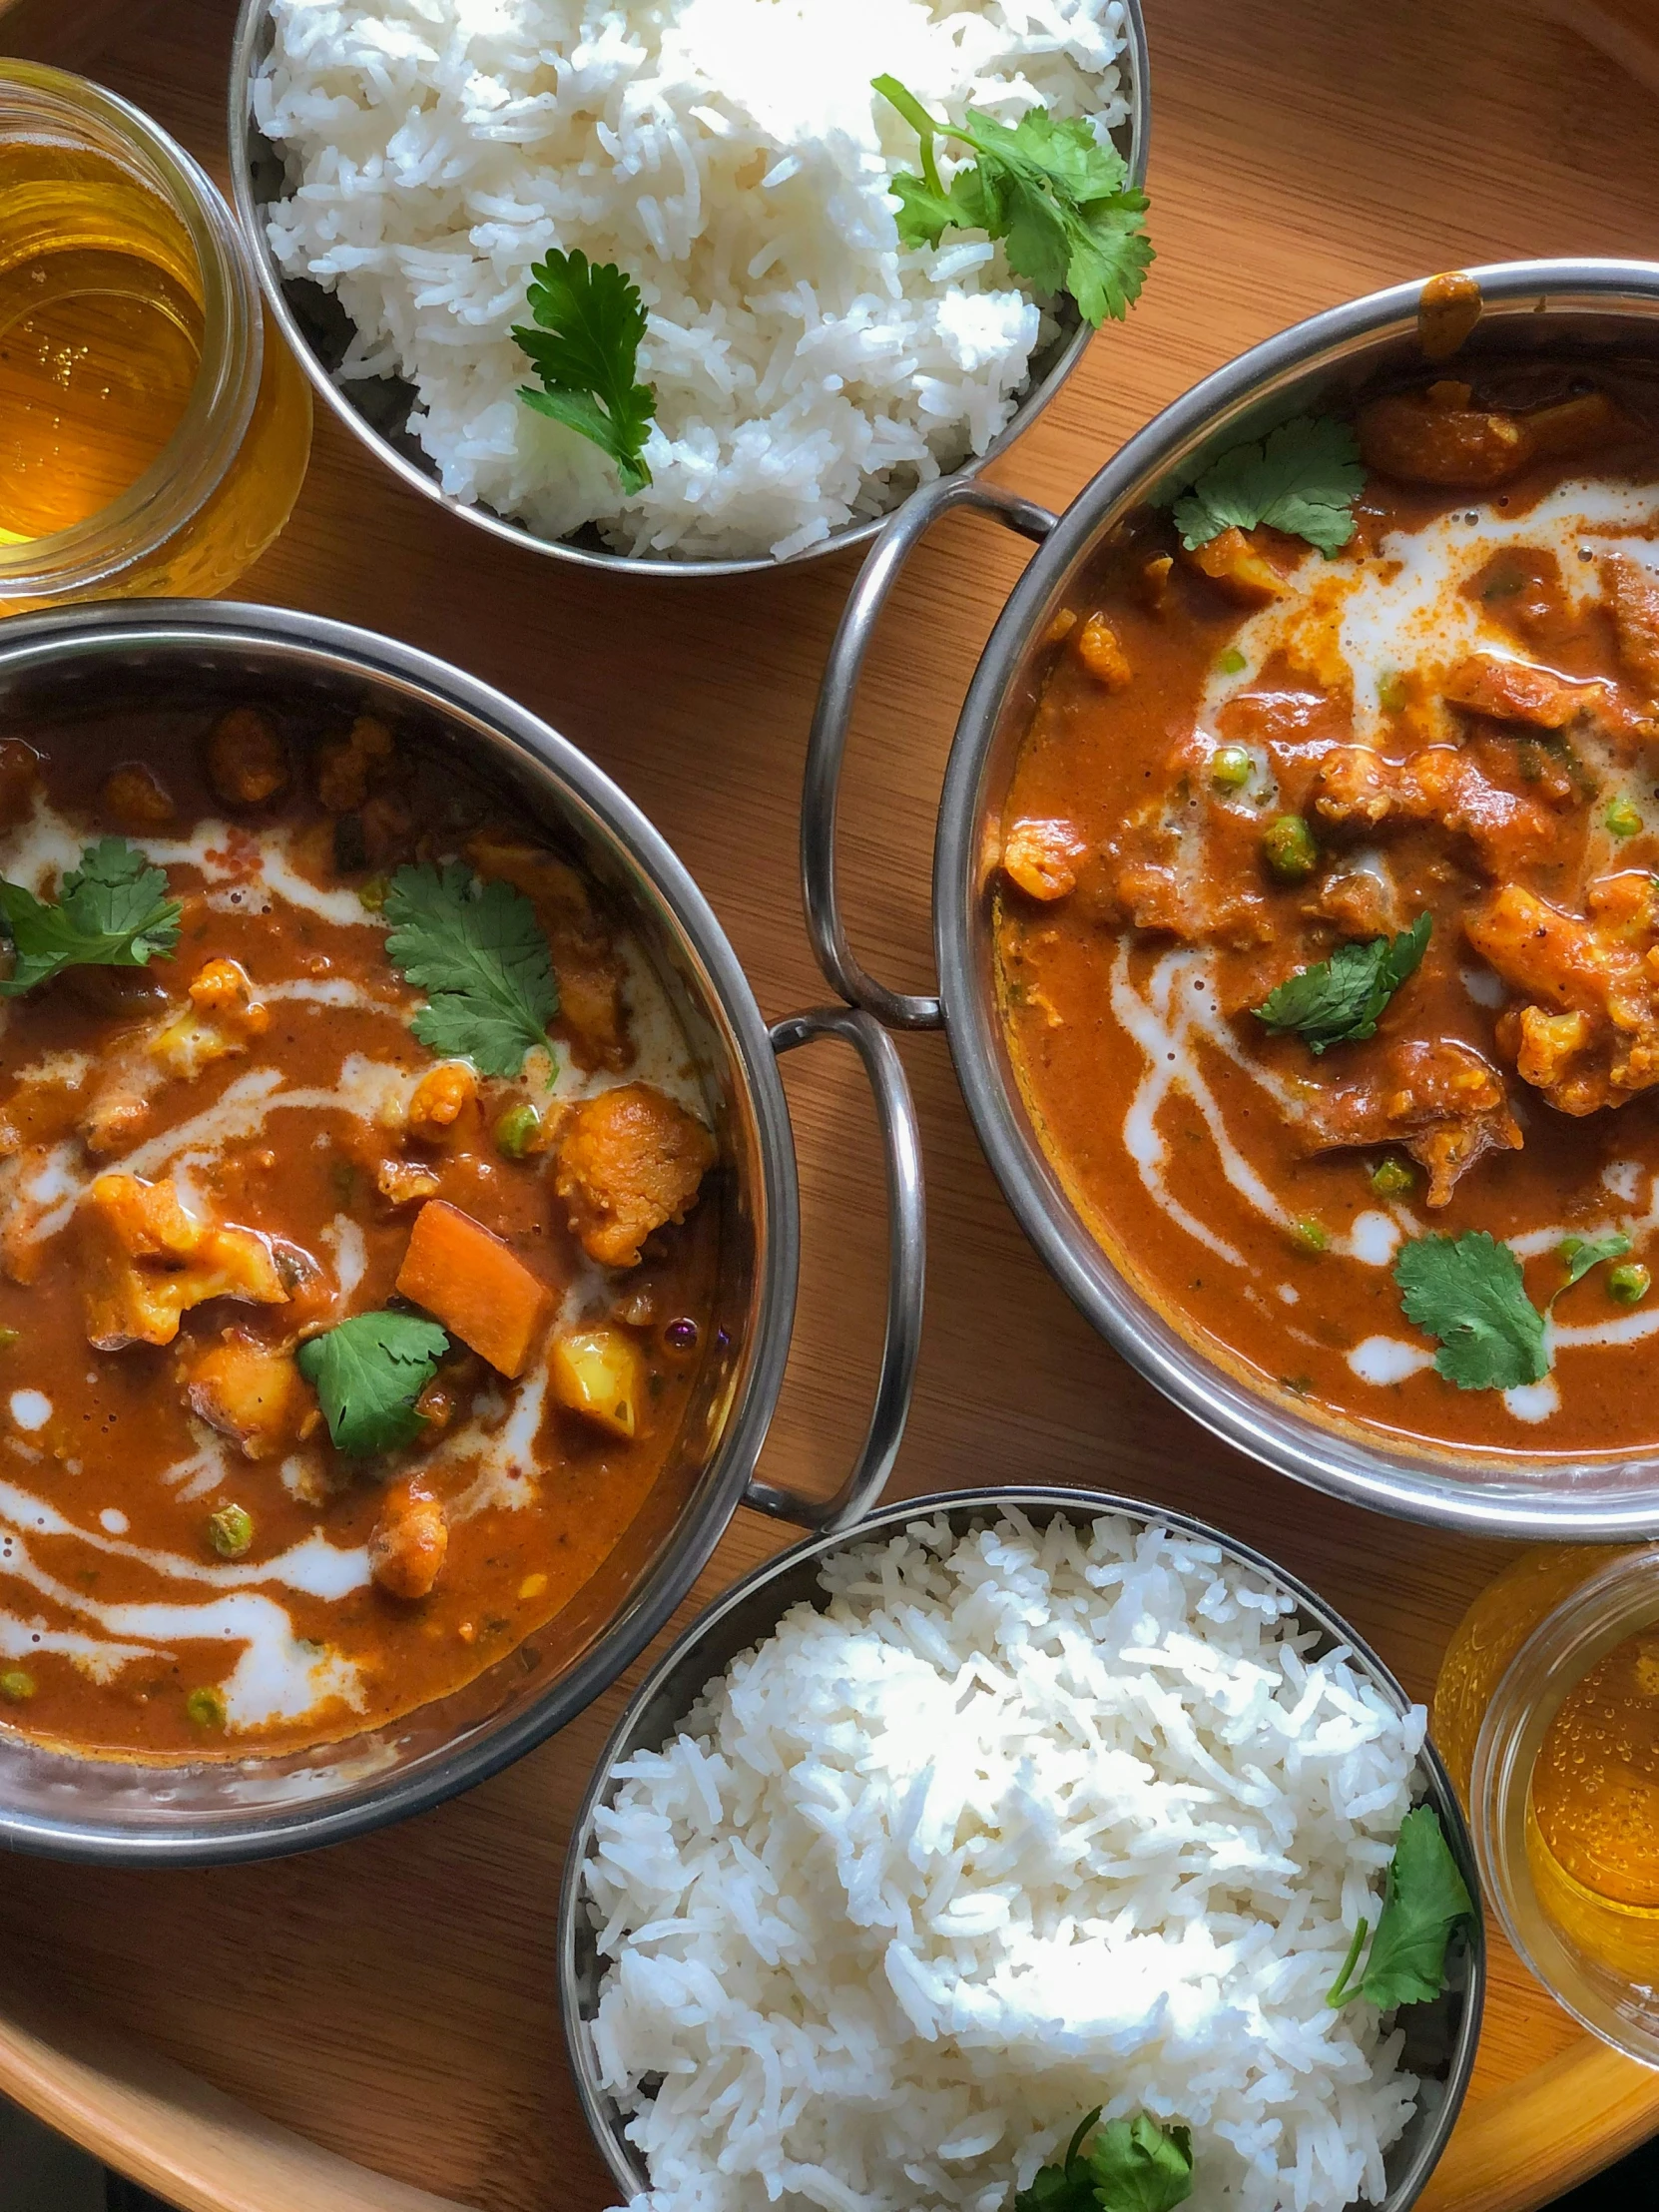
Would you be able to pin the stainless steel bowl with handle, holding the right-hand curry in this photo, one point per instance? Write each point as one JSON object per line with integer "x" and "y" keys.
{"x": 1594, "y": 309}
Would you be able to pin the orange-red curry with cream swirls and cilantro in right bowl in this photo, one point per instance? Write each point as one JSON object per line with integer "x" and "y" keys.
{"x": 1328, "y": 921}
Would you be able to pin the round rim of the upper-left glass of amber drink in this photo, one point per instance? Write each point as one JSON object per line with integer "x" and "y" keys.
{"x": 196, "y": 459}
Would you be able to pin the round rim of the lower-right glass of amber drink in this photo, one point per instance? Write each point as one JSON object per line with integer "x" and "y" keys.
{"x": 1569, "y": 1642}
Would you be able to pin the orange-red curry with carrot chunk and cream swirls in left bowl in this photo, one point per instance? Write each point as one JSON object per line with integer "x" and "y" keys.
{"x": 353, "y": 1266}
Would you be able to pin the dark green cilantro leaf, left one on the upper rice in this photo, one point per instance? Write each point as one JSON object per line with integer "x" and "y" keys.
{"x": 585, "y": 351}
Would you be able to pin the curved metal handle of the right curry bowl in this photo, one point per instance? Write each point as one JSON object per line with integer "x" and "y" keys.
{"x": 833, "y": 720}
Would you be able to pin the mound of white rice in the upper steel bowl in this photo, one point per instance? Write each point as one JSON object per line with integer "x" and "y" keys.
{"x": 733, "y": 158}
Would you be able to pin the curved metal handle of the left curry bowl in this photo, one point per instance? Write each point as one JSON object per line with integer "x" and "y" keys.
{"x": 901, "y": 1145}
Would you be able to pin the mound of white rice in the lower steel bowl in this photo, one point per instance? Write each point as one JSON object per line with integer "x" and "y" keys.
{"x": 1019, "y": 1826}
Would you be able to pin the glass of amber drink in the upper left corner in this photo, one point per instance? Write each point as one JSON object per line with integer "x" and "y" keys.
{"x": 154, "y": 430}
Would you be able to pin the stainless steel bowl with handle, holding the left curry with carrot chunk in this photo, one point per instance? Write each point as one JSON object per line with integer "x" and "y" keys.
{"x": 63, "y": 671}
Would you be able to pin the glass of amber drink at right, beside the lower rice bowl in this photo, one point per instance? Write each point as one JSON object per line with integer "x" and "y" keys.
{"x": 1547, "y": 1711}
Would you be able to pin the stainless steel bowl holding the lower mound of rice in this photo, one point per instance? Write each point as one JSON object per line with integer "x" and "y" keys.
{"x": 1441, "y": 2038}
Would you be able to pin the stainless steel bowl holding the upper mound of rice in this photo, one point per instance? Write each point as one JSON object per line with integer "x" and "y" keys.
{"x": 377, "y": 410}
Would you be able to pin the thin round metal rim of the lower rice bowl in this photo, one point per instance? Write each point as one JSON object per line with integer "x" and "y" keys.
{"x": 687, "y": 1671}
